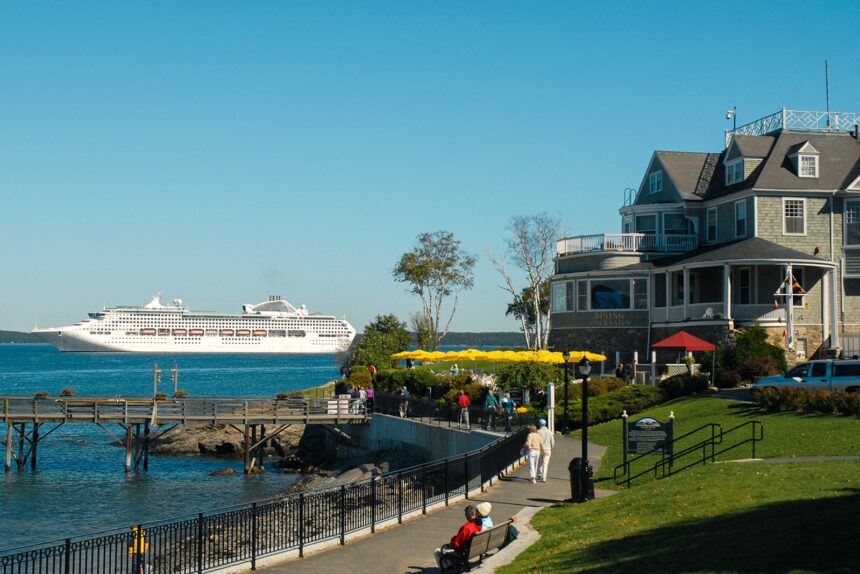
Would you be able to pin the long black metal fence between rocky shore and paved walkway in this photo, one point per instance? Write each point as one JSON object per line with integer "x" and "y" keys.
{"x": 244, "y": 534}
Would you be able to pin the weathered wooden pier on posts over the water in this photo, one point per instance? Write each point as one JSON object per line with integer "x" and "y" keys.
{"x": 138, "y": 416}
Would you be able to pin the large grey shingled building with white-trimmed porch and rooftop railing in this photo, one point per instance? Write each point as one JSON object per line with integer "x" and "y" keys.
{"x": 766, "y": 231}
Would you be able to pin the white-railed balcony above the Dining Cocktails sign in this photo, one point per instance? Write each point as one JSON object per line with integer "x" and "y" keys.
{"x": 626, "y": 243}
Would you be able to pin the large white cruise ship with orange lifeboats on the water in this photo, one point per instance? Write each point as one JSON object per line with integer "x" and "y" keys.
{"x": 273, "y": 326}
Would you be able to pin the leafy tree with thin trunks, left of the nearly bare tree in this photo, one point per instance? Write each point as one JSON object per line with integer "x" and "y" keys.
{"x": 436, "y": 268}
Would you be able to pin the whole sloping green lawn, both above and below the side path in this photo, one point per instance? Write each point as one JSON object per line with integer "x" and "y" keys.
{"x": 727, "y": 517}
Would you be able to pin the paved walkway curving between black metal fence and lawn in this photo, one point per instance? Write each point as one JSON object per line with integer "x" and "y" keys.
{"x": 408, "y": 548}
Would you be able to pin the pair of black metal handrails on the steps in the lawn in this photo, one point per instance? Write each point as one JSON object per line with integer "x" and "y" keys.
{"x": 666, "y": 466}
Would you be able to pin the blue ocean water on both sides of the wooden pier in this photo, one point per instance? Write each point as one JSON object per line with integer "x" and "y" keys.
{"x": 80, "y": 486}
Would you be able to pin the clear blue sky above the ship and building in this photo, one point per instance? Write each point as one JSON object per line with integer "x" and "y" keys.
{"x": 222, "y": 151}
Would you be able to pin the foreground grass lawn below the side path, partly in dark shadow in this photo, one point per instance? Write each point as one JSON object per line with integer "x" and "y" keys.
{"x": 753, "y": 517}
